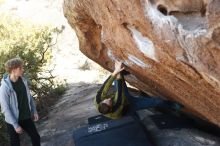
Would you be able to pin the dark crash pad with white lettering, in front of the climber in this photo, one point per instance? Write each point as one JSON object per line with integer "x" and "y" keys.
{"x": 123, "y": 132}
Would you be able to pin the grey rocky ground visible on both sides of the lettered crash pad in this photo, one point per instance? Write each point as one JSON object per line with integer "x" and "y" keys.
{"x": 76, "y": 106}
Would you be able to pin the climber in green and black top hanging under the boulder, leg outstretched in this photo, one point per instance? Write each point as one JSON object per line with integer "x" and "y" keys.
{"x": 115, "y": 105}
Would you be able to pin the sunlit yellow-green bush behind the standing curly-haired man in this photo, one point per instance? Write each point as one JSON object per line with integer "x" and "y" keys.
{"x": 33, "y": 44}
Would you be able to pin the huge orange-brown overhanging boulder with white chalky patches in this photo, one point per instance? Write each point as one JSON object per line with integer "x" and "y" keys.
{"x": 172, "y": 48}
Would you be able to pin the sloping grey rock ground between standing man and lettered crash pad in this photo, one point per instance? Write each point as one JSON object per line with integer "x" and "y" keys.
{"x": 69, "y": 113}
